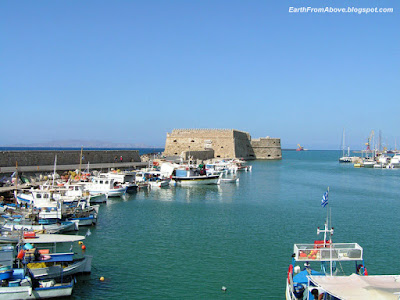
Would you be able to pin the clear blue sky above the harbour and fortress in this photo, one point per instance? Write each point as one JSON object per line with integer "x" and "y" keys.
{"x": 131, "y": 71}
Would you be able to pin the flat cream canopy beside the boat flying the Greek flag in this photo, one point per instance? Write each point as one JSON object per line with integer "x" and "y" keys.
{"x": 360, "y": 287}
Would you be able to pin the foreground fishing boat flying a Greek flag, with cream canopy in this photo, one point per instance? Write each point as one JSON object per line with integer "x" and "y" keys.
{"x": 318, "y": 271}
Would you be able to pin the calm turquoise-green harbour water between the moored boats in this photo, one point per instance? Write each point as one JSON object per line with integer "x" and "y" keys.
{"x": 186, "y": 243}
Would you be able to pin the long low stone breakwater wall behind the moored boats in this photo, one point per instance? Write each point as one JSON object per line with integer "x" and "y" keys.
{"x": 43, "y": 158}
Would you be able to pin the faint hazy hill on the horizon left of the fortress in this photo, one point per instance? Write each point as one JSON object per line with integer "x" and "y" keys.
{"x": 84, "y": 144}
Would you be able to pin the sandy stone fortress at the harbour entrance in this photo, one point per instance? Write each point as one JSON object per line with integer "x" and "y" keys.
{"x": 220, "y": 143}
